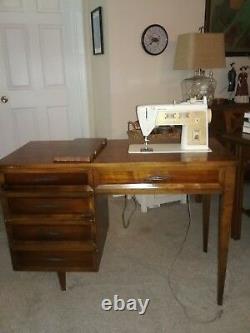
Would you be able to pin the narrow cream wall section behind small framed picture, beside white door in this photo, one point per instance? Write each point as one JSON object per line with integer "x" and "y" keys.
{"x": 98, "y": 73}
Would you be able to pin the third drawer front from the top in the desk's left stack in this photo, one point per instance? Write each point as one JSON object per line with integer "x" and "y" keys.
{"x": 52, "y": 233}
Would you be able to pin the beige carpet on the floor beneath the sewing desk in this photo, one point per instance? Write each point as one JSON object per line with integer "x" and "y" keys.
{"x": 143, "y": 261}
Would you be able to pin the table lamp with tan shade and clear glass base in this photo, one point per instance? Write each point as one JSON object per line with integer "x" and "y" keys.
{"x": 200, "y": 51}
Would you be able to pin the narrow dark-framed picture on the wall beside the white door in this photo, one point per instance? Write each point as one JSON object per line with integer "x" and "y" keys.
{"x": 97, "y": 35}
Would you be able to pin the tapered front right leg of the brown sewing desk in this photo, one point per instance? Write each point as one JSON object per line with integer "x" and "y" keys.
{"x": 225, "y": 217}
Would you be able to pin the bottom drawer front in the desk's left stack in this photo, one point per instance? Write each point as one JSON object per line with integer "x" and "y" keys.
{"x": 55, "y": 261}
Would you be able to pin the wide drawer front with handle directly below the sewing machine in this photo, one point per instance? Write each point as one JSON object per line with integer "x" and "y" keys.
{"x": 111, "y": 175}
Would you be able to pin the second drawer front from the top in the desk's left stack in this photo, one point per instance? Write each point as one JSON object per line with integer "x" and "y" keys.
{"x": 19, "y": 205}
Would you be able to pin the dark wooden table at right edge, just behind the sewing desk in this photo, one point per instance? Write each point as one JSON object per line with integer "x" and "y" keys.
{"x": 241, "y": 142}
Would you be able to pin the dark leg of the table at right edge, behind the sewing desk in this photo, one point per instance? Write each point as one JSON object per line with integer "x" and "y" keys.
{"x": 237, "y": 212}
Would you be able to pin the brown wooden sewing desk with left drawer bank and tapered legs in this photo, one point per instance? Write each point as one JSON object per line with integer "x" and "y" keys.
{"x": 112, "y": 171}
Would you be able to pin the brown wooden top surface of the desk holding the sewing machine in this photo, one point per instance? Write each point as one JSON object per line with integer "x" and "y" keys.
{"x": 42, "y": 154}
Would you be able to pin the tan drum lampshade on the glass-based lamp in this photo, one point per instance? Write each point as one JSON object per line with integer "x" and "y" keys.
{"x": 200, "y": 50}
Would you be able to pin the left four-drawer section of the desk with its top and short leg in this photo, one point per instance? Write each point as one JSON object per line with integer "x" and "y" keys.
{"x": 53, "y": 219}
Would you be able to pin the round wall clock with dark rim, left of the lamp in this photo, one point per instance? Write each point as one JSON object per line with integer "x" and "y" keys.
{"x": 154, "y": 39}
